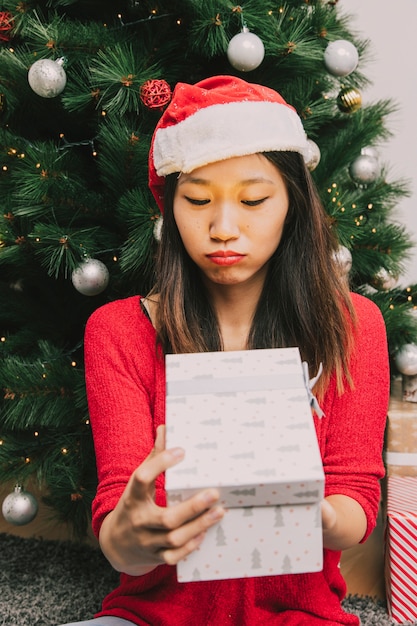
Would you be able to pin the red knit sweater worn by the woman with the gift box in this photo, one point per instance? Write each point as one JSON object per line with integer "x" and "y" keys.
{"x": 126, "y": 395}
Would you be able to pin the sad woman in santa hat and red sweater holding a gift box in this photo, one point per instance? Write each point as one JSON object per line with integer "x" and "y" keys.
{"x": 245, "y": 262}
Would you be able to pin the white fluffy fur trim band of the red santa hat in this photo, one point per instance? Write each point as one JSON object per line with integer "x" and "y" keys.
{"x": 222, "y": 131}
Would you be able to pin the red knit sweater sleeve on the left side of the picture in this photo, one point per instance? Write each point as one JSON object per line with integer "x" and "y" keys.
{"x": 120, "y": 369}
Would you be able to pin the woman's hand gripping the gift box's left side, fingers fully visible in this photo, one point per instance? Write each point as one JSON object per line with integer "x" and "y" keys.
{"x": 138, "y": 535}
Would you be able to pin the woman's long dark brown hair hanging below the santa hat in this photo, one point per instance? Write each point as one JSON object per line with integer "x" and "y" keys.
{"x": 304, "y": 302}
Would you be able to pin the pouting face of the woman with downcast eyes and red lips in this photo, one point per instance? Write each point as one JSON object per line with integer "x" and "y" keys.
{"x": 230, "y": 216}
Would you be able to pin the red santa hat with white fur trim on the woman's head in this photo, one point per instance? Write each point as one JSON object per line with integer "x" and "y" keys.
{"x": 219, "y": 118}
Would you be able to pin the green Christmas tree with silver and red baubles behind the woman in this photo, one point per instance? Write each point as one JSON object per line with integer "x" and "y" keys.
{"x": 82, "y": 85}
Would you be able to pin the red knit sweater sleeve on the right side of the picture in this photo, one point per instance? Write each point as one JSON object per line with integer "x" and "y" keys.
{"x": 352, "y": 433}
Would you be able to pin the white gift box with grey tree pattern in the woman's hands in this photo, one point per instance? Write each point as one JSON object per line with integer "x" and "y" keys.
{"x": 245, "y": 421}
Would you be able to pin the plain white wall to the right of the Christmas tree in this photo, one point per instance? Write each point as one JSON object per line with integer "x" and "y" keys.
{"x": 391, "y": 29}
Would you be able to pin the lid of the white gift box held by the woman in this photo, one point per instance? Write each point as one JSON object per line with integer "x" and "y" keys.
{"x": 245, "y": 421}
